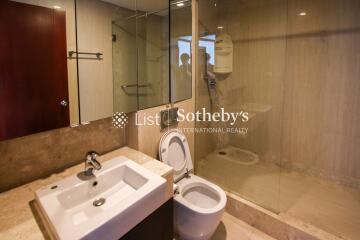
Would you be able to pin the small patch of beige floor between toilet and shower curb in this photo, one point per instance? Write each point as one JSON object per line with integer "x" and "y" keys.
{"x": 231, "y": 228}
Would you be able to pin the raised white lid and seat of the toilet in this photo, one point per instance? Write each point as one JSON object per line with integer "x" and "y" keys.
{"x": 174, "y": 151}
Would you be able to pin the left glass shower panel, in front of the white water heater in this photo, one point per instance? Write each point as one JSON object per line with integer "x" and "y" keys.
{"x": 245, "y": 162}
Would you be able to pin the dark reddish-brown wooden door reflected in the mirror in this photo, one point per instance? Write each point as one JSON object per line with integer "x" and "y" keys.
{"x": 33, "y": 69}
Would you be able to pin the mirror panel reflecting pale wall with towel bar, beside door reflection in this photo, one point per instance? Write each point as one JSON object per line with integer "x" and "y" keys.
{"x": 106, "y": 57}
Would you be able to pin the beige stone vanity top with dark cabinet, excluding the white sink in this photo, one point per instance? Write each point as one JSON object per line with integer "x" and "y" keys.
{"x": 23, "y": 219}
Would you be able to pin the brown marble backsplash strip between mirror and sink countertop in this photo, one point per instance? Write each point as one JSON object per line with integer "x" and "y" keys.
{"x": 39, "y": 155}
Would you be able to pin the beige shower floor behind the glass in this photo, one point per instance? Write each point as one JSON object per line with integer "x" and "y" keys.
{"x": 324, "y": 204}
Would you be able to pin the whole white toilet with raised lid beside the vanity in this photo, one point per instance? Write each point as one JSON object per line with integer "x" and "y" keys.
{"x": 198, "y": 204}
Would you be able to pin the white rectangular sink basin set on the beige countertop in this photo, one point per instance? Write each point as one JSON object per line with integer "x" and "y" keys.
{"x": 131, "y": 193}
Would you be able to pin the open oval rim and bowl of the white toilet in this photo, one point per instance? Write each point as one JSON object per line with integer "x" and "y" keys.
{"x": 200, "y": 195}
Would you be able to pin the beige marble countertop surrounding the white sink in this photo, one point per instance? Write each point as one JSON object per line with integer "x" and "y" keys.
{"x": 19, "y": 220}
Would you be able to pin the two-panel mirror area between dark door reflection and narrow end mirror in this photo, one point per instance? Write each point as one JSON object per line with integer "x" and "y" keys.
{"x": 132, "y": 39}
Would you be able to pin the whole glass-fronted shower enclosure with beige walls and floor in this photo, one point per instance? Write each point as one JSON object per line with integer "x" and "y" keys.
{"x": 295, "y": 71}
